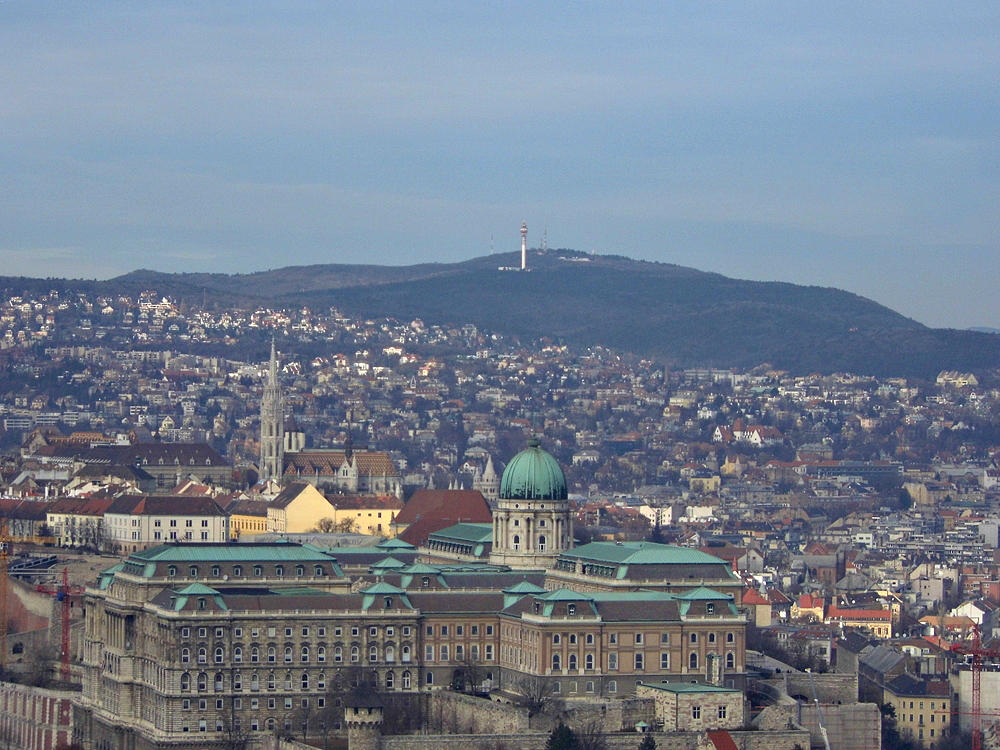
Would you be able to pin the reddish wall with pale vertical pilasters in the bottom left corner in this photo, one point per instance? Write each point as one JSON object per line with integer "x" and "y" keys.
{"x": 35, "y": 718}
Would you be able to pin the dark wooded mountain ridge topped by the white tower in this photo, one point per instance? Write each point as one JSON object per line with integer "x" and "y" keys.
{"x": 677, "y": 314}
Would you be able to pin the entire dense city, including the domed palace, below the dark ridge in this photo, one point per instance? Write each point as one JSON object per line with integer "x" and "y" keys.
{"x": 836, "y": 535}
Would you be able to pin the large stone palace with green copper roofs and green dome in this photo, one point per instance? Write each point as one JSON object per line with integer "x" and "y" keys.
{"x": 187, "y": 644}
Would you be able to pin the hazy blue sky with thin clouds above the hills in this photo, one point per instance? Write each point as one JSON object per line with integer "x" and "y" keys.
{"x": 854, "y": 145}
